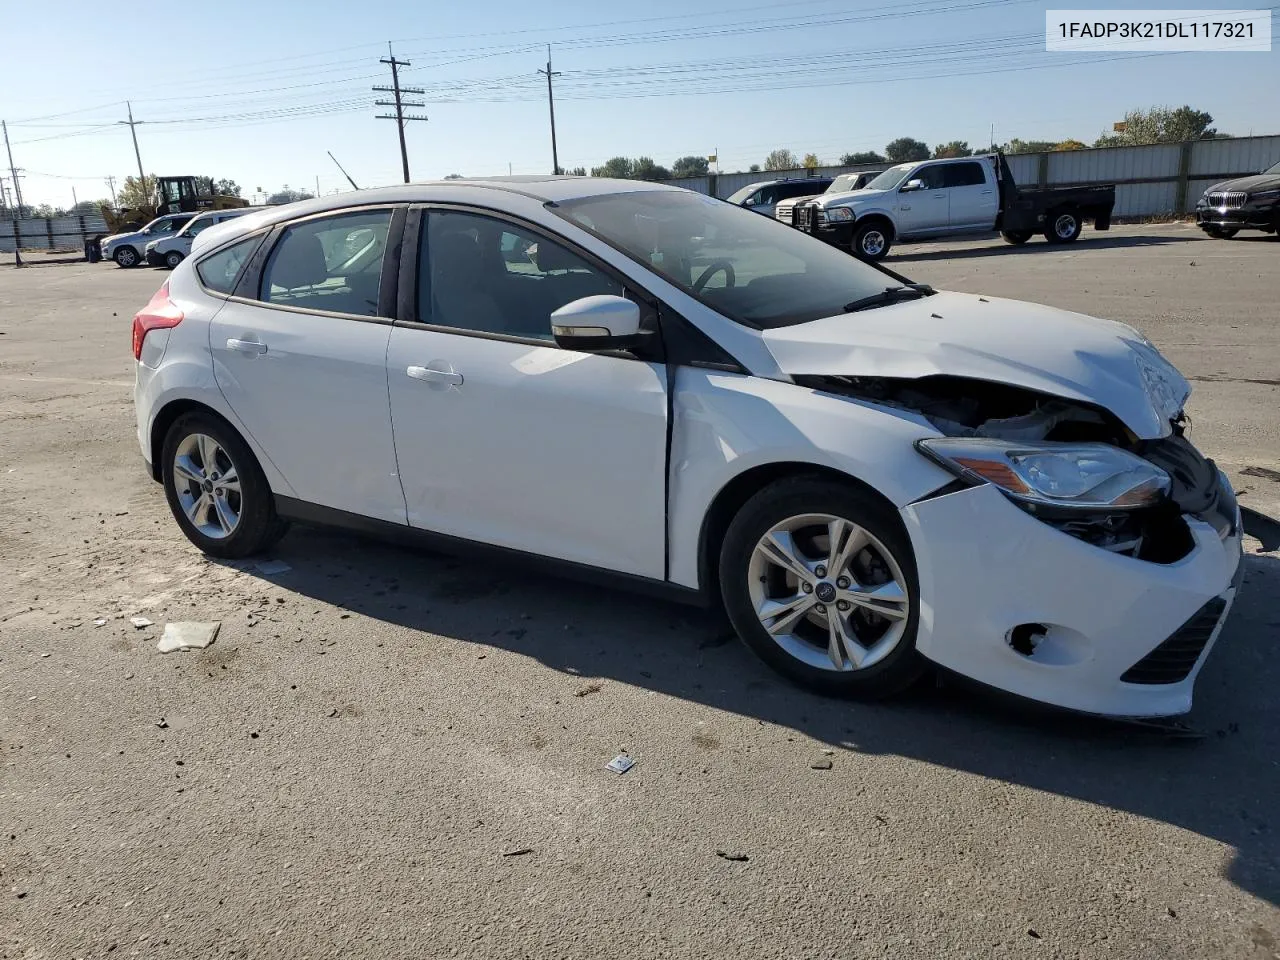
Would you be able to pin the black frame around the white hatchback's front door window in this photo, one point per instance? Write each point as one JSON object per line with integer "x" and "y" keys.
{"x": 409, "y": 268}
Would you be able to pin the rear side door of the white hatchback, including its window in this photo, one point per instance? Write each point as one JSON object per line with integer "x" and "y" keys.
{"x": 300, "y": 354}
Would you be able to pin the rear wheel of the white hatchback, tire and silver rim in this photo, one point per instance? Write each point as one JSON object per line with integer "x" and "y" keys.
{"x": 217, "y": 490}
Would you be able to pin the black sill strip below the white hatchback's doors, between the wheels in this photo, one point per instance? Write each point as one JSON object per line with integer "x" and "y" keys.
{"x": 304, "y": 513}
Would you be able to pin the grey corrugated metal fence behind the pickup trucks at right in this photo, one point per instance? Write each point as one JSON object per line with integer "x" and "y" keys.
{"x": 1162, "y": 180}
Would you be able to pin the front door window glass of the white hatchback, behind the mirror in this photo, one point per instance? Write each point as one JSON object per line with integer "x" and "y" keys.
{"x": 487, "y": 276}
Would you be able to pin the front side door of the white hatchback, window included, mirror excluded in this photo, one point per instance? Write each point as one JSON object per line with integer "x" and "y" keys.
{"x": 504, "y": 437}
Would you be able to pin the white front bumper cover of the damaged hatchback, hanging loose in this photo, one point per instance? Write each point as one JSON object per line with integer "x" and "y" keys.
{"x": 1114, "y": 624}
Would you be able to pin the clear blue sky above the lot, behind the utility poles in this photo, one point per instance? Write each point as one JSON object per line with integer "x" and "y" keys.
{"x": 278, "y": 84}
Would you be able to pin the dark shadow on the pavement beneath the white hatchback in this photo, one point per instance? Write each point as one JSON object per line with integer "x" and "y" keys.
{"x": 1222, "y": 785}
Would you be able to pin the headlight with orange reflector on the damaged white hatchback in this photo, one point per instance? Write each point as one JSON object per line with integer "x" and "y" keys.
{"x": 1092, "y": 477}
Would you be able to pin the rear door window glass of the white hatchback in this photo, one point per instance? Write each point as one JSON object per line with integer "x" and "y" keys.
{"x": 333, "y": 264}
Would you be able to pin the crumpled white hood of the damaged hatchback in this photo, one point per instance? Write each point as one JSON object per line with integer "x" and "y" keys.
{"x": 1040, "y": 349}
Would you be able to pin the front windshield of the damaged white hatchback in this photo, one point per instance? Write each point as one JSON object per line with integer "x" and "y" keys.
{"x": 749, "y": 268}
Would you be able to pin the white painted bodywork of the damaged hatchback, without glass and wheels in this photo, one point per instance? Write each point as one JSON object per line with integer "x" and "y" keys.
{"x": 560, "y": 452}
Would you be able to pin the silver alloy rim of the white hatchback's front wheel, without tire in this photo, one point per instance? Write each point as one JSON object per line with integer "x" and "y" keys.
{"x": 829, "y": 592}
